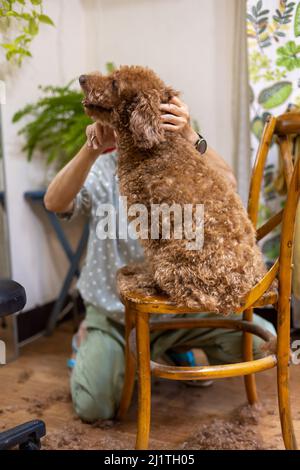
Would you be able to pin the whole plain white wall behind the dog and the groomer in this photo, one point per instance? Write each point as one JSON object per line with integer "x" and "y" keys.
{"x": 188, "y": 42}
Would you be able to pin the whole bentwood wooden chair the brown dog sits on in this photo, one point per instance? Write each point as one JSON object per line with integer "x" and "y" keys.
{"x": 139, "y": 308}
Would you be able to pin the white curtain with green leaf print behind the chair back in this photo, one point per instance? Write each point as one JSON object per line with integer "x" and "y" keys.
{"x": 273, "y": 30}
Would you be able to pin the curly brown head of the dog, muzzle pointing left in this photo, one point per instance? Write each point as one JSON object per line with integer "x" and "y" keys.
{"x": 129, "y": 98}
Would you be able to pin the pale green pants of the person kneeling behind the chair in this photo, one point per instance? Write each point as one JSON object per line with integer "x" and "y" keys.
{"x": 97, "y": 378}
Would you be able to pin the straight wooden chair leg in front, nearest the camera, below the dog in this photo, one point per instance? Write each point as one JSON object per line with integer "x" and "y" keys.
{"x": 144, "y": 380}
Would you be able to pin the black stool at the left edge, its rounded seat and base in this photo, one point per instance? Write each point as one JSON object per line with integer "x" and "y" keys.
{"x": 28, "y": 435}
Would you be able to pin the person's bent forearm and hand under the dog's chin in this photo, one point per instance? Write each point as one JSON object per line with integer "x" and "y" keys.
{"x": 67, "y": 183}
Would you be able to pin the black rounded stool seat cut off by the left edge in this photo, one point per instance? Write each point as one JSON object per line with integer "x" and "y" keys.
{"x": 12, "y": 297}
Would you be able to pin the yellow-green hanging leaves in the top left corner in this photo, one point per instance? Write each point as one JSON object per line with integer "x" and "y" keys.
{"x": 26, "y": 16}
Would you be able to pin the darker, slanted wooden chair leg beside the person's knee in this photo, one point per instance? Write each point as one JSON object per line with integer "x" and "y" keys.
{"x": 130, "y": 367}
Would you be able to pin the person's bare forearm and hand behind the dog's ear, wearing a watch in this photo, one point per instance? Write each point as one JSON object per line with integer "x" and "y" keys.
{"x": 176, "y": 118}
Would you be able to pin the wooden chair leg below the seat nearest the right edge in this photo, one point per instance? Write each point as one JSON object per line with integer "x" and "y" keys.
{"x": 283, "y": 358}
